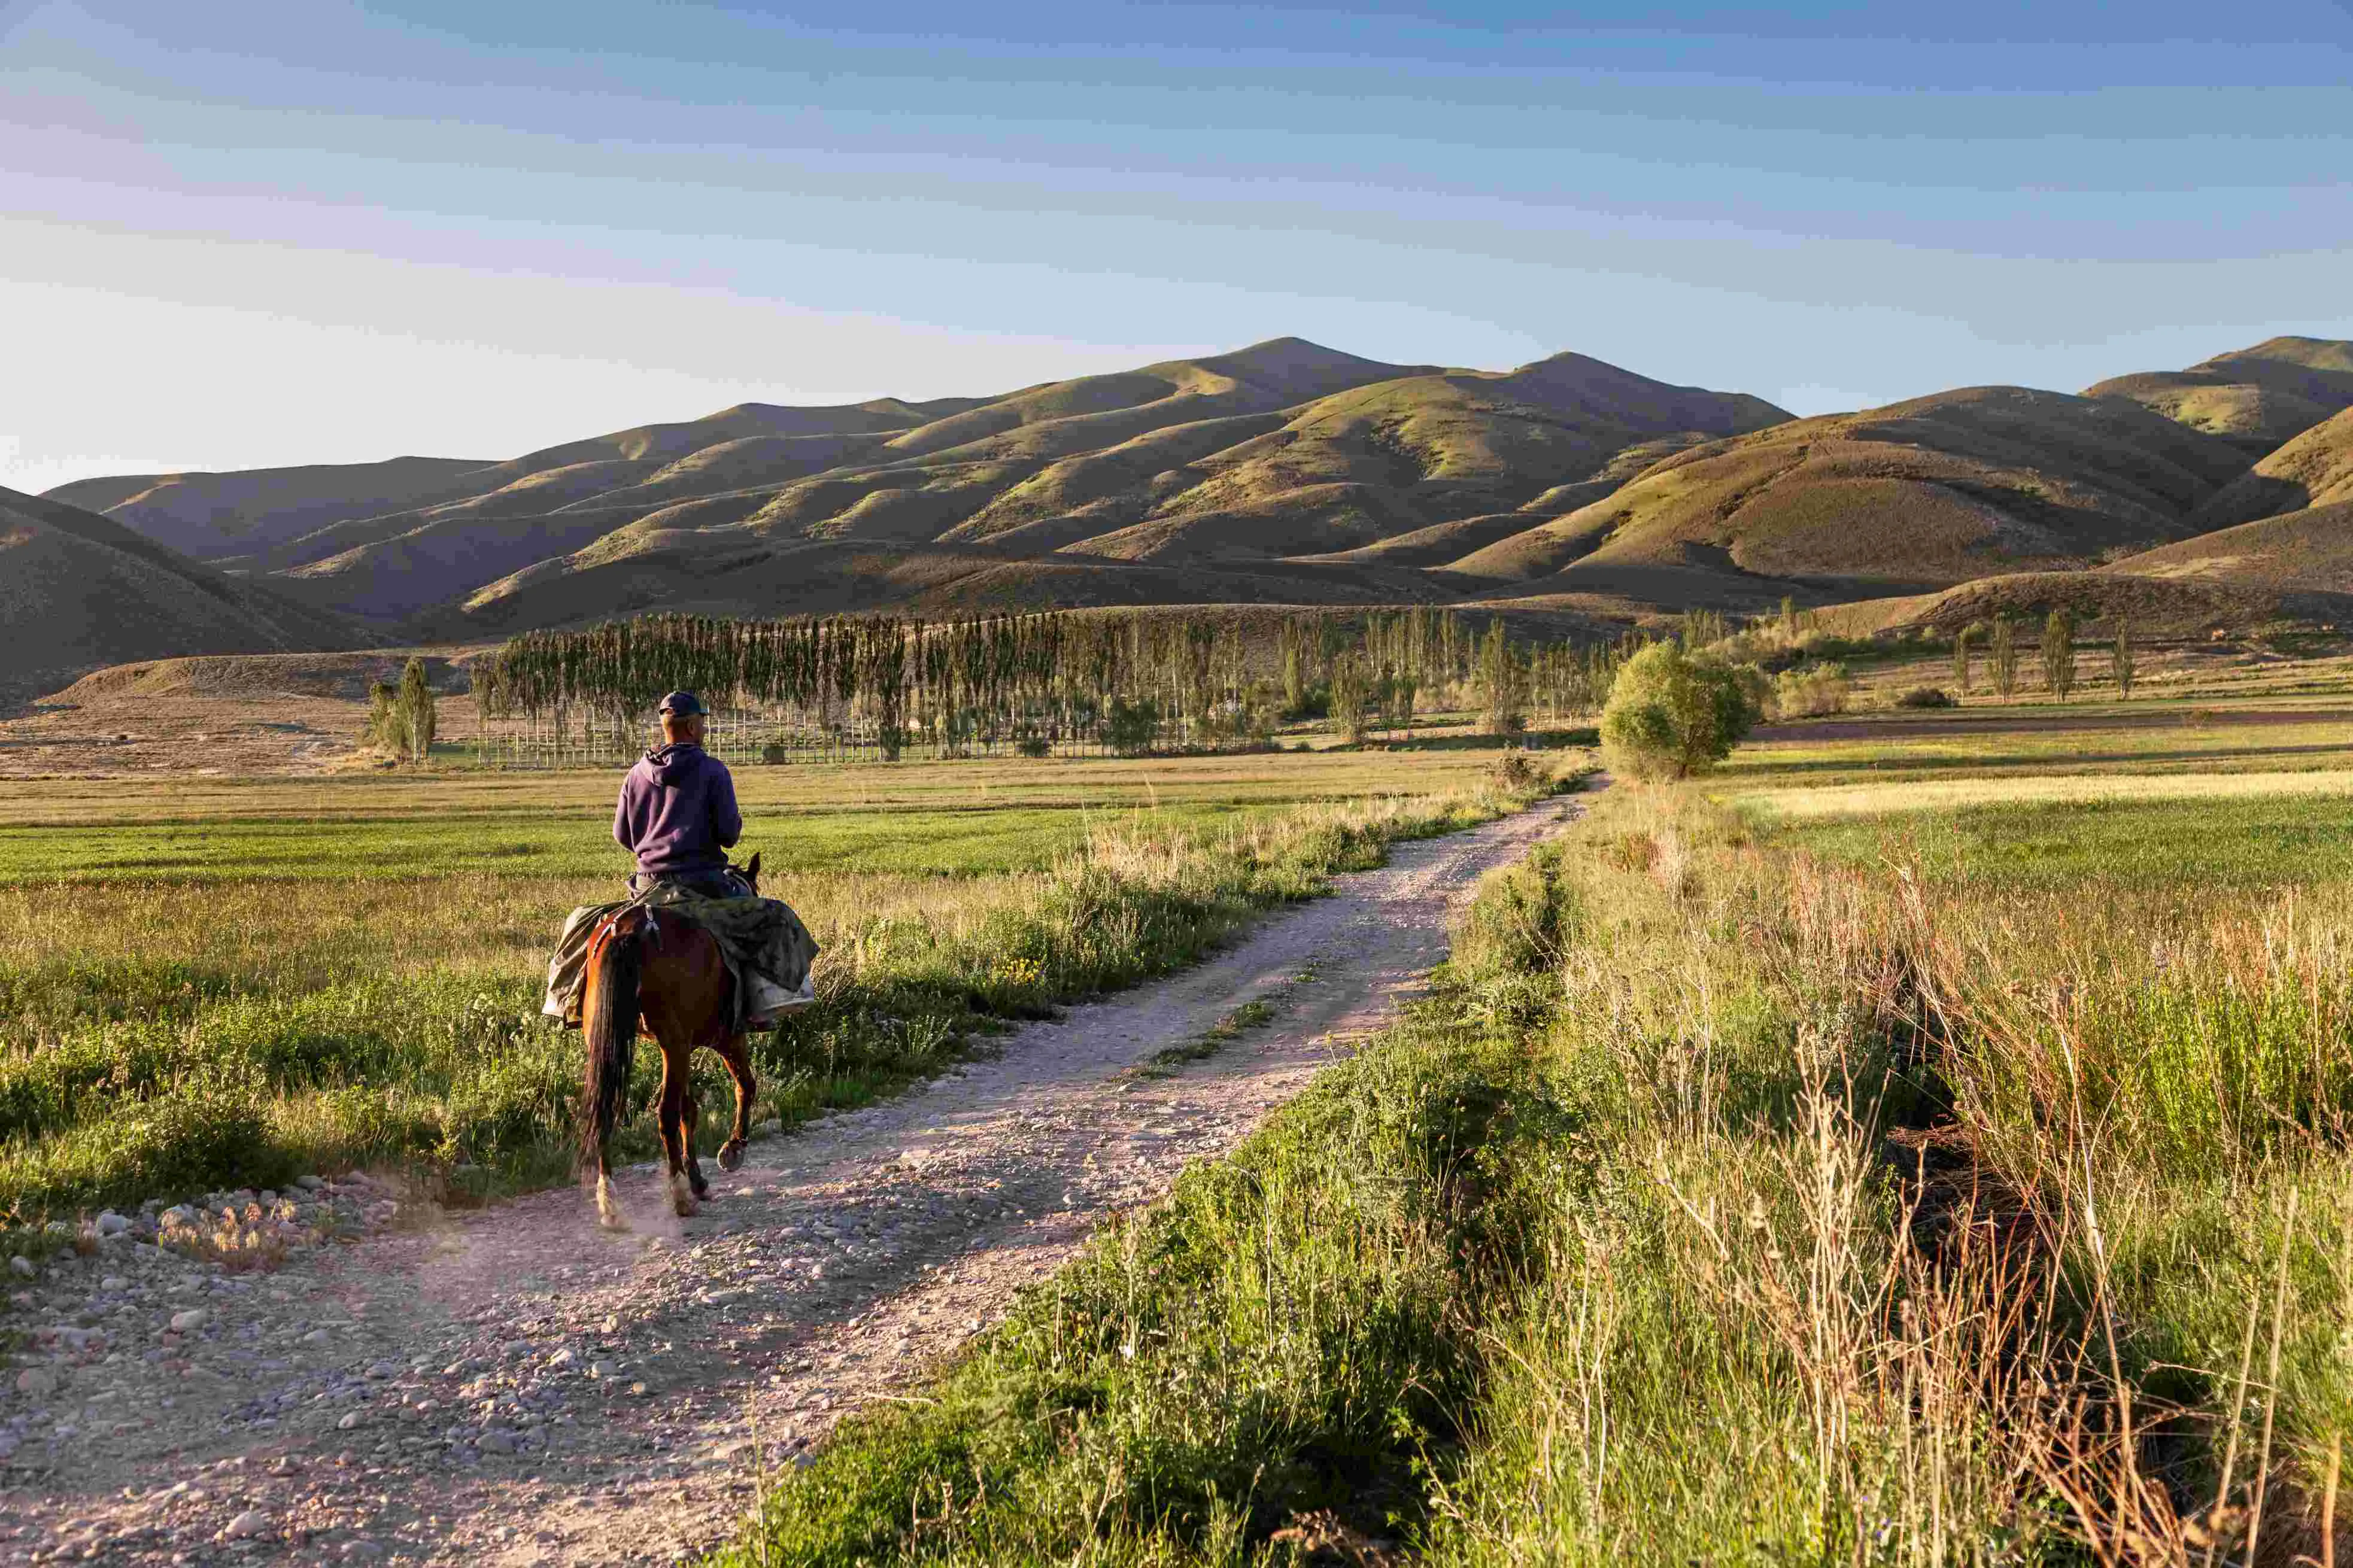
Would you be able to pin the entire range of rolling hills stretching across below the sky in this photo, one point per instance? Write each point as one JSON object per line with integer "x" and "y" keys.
{"x": 1277, "y": 474}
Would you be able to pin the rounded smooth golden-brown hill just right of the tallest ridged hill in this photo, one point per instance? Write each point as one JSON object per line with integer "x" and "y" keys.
{"x": 1905, "y": 498}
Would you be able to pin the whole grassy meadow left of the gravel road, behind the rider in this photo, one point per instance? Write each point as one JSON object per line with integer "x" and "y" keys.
{"x": 227, "y": 983}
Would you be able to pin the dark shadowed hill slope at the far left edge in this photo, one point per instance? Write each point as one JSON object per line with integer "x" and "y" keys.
{"x": 79, "y": 592}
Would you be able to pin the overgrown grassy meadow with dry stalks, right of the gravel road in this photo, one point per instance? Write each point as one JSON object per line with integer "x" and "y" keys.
{"x": 1954, "y": 1181}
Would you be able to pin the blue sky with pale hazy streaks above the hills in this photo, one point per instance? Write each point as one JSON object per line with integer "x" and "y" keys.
{"x": 255, "y": 234}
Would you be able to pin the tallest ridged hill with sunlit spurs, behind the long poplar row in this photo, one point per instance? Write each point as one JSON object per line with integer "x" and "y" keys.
{"x": 1171, "y": 484}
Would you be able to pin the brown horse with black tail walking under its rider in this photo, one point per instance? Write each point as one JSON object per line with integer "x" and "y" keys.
{"x": 667, "y": 971}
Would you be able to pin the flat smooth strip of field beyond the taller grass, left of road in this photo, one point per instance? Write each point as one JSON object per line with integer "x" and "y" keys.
{"x": 921, "y": 820}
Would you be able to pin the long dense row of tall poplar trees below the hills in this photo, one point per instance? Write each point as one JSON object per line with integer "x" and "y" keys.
{"x": 881, "y": 684}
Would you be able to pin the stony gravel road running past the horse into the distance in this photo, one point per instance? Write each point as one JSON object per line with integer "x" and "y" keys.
{"x": 338, "y": 1374}
